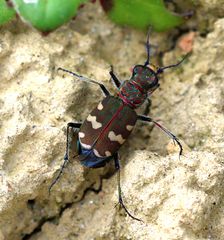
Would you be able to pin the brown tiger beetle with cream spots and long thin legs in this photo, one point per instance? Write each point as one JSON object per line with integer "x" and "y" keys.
{"x": 108, "y": 126}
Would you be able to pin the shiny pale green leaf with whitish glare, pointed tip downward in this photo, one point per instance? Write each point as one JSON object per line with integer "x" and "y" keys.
{"x": 47, "y": 15}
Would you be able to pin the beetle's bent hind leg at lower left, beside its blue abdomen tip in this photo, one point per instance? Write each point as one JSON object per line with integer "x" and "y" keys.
{"x": 66, "y": 160}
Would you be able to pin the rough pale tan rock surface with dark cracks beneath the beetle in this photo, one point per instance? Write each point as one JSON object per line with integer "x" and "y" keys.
{"x": 175, "y": 198}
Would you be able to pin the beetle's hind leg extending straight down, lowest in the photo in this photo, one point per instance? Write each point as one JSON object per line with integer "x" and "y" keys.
{"x": 117, "y": 166}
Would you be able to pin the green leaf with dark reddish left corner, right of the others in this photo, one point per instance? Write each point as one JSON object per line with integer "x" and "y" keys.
{"x": 141, "y": 14}
